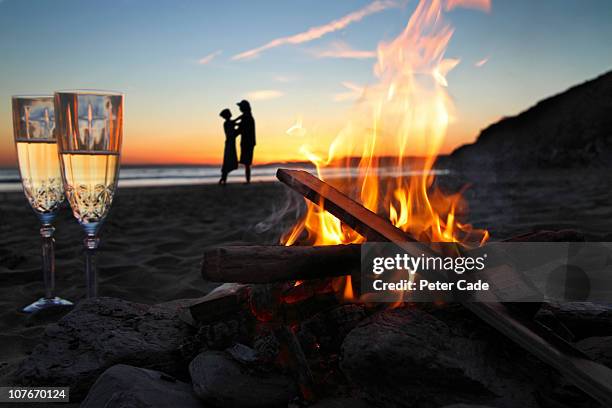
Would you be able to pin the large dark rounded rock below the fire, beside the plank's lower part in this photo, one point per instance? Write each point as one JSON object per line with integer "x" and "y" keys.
{"x": 406, "y": 357}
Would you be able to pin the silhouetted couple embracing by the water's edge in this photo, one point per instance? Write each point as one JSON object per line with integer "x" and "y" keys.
{"x": 243, "y": 126}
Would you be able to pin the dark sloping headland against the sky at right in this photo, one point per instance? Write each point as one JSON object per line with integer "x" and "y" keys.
{"x": 571, "y": 129}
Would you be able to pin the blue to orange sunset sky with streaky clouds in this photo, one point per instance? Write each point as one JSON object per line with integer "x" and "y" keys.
{"x": 180, "y": 62}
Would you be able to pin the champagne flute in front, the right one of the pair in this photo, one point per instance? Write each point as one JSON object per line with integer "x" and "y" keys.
{"x": 89, "y": 131}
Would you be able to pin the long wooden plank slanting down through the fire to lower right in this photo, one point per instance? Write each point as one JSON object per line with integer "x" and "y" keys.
{"x": 593, "y": 378}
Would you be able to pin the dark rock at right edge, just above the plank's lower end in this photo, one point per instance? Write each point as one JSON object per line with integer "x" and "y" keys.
{"x": 583, "y": 319}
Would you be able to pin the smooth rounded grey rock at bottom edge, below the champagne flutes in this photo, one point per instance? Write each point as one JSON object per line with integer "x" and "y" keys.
{"x": 123, "y": 386}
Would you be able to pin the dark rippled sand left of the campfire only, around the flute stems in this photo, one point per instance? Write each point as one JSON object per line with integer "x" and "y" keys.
{"x": 151, "y": 248}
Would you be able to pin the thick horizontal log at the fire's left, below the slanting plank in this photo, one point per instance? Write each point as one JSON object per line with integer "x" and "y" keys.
{"x": 268, "y": 264}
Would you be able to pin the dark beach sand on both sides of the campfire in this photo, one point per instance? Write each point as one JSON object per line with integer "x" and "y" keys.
{"x": 153, "y": 239}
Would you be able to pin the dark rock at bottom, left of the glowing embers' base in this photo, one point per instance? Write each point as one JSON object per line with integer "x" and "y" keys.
{"x": 221, "y": 381}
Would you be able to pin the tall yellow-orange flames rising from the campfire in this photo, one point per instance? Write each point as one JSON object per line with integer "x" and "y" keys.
{"x": 409, "y": 109}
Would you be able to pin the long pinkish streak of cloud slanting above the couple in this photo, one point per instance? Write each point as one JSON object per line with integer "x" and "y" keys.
{"x": 314, "y": 33}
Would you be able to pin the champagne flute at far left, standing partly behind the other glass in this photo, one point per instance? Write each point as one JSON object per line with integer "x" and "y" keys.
{"x": 33, "y": 129}
